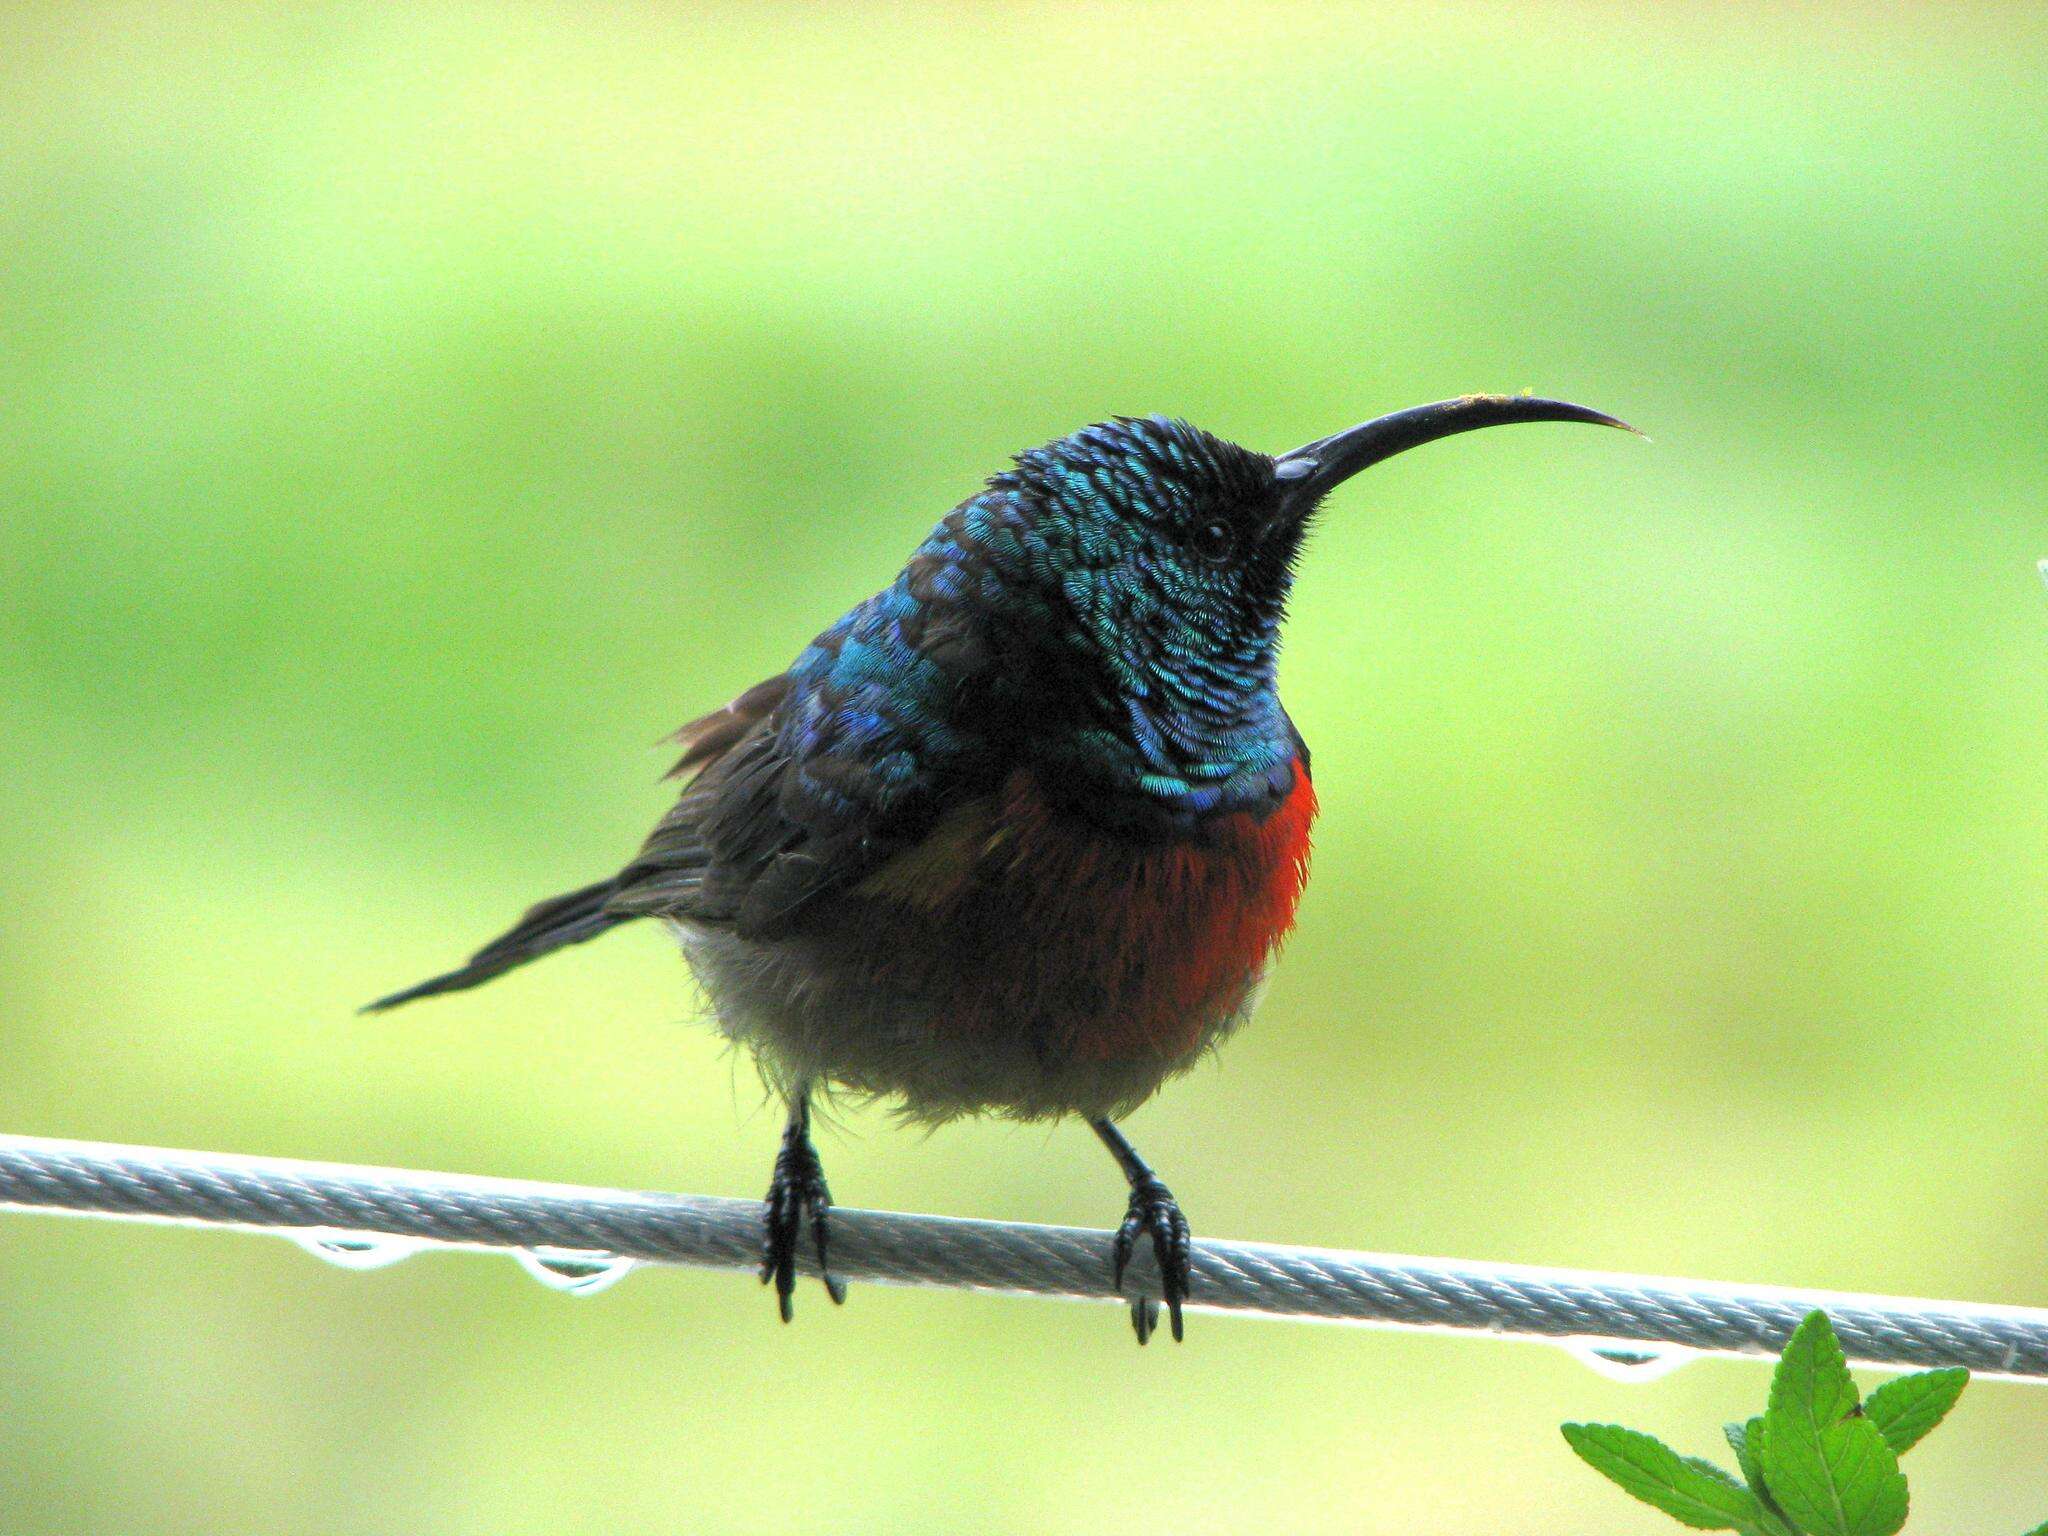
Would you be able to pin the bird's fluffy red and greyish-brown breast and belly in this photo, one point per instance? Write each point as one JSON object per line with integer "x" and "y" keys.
{"x": 1021, "y": 962}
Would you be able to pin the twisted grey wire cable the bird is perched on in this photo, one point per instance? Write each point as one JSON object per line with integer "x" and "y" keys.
{"x": 1631, "y": 1318}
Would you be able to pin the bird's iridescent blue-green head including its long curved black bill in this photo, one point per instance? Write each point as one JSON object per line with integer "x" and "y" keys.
{"x": 1148, "y": 564}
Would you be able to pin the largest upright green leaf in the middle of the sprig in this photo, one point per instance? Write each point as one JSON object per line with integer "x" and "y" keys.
{"x": 1826, "y": 1465}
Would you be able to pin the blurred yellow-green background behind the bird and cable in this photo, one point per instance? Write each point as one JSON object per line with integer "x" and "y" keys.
{"x": 409, "y": 415}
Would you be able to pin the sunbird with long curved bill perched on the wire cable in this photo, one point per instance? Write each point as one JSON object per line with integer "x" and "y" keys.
{"x": 1023, "y": 833}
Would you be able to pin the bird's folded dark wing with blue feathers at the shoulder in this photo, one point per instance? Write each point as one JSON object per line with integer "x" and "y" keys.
{"x": 804, "y": 785}
